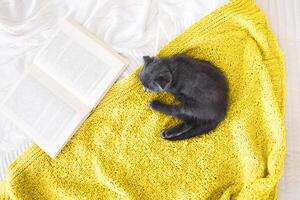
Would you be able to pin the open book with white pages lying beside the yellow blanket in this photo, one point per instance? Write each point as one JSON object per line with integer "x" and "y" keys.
{"x": 65, "y": 82}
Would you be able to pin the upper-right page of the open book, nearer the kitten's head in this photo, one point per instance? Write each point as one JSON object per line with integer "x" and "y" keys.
{"x": 79, "y": 63}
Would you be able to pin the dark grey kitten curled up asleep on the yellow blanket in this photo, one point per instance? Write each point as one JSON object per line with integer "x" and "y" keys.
{"x": 198, "y": 85}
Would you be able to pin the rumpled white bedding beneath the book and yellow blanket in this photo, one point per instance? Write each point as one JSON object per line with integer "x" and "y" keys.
{"x": 135, "y": 28}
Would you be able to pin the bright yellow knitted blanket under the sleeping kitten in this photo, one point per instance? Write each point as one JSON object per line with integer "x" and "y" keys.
{"x": 118, "y": 153}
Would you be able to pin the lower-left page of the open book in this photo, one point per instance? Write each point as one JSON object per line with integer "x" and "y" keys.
{"x": 42, "y": 114}
